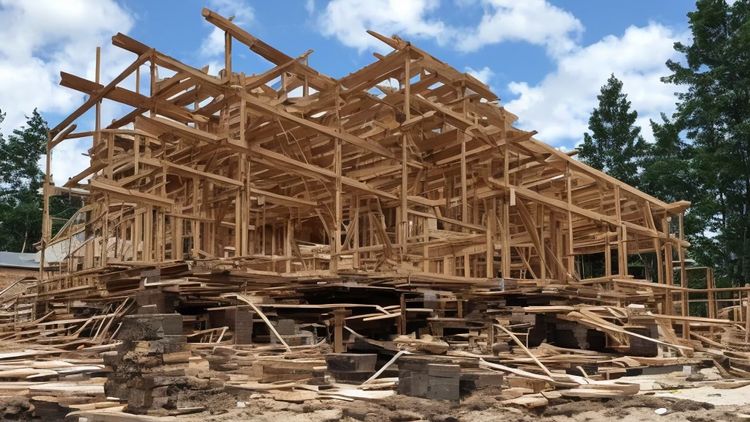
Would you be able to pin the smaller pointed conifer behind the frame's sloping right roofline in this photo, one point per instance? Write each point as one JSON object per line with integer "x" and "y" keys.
{"x": 615, "y": 143}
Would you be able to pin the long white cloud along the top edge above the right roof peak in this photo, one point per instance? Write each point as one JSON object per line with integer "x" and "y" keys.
{"x": 534, "y": 21}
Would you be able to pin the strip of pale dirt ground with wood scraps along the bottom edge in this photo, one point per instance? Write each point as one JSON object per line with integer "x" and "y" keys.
{"x": 684, "y": 401}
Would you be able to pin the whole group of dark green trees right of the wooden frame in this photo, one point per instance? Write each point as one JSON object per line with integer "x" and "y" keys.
{"x": 700, "y": 154}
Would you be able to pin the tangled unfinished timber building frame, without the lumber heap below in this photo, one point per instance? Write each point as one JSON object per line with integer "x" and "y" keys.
{"x": 404, "y": 173}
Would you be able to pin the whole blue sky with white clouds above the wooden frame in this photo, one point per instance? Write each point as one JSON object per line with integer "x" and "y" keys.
{"x": 545, "y": 59}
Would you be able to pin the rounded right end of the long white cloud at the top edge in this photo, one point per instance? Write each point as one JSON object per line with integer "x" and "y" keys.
{"x": 533, "y": 21}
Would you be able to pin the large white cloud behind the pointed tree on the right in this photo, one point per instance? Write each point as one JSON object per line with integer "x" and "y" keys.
{"x": 559, "y": 106}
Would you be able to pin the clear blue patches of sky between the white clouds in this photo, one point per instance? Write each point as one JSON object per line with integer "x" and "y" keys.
{"x": 294, "y": 30}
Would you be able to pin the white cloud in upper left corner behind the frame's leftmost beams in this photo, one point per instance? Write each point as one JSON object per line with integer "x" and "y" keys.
{"x": 43, "y": 37}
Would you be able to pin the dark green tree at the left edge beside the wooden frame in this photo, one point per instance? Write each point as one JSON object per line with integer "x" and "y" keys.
{"x": 20, "y": 184}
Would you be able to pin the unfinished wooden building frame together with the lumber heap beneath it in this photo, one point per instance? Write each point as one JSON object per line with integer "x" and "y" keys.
{"x": 301, "y": 236}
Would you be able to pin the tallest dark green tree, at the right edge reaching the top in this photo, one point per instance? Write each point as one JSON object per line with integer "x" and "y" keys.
{"x": 714, "y": 110}
